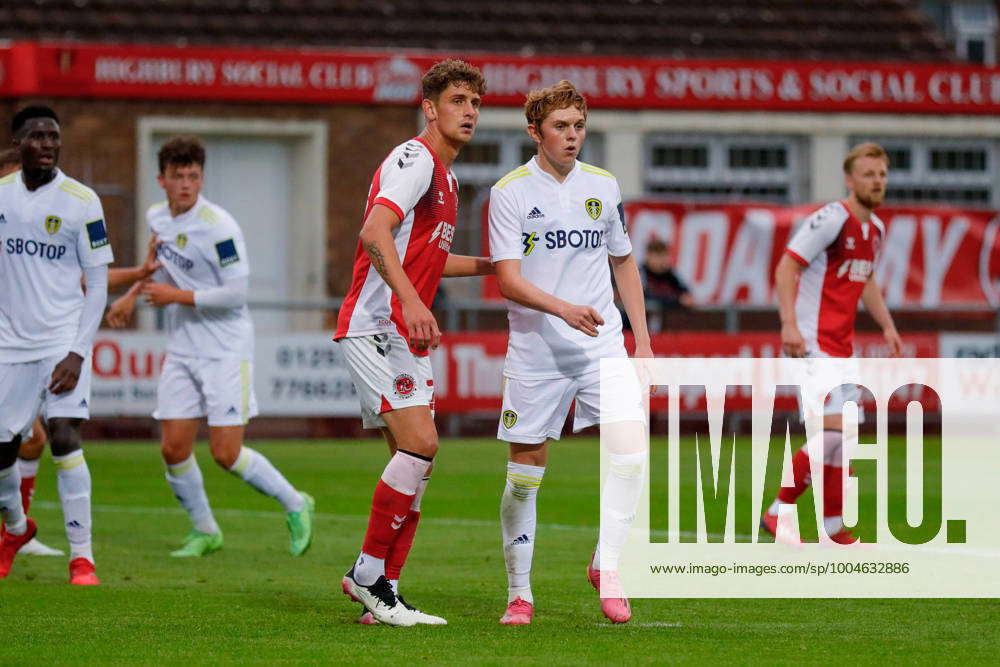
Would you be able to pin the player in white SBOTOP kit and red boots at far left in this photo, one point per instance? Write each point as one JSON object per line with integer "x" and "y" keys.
{"x": 52, "y": 232}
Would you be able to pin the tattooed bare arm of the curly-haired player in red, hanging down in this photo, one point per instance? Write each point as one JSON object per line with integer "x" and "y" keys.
{"x": 376, "y": 239}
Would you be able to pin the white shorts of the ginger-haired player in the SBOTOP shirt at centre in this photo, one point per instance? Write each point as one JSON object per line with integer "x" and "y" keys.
{"x": 535, "y": 410}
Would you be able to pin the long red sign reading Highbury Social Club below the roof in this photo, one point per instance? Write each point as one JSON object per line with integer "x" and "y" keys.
{"x": 391, "y": 77}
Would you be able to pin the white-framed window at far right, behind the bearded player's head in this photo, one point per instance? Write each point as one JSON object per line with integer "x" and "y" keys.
{"x": 960, "y": 172}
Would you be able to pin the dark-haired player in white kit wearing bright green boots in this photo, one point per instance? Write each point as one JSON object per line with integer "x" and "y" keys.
{"x": 208, "y": 370}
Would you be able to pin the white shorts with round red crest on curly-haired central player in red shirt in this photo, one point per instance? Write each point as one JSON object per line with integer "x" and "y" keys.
{"x": 387, "y": 375}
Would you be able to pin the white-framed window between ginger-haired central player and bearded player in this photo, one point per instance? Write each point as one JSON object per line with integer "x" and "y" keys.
{"x": 723, "y": 167}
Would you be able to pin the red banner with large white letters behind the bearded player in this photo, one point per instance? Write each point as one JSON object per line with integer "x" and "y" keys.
{"x": 726, "y": 253}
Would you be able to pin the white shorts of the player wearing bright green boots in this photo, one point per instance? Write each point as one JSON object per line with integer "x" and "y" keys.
{"x": 193, "y": 387}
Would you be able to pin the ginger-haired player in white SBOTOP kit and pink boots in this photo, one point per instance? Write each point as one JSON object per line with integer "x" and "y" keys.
{"x": 554, "y": 224}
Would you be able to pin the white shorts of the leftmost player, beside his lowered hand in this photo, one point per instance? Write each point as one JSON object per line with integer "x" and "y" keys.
{"x": 24, "y": 394}
